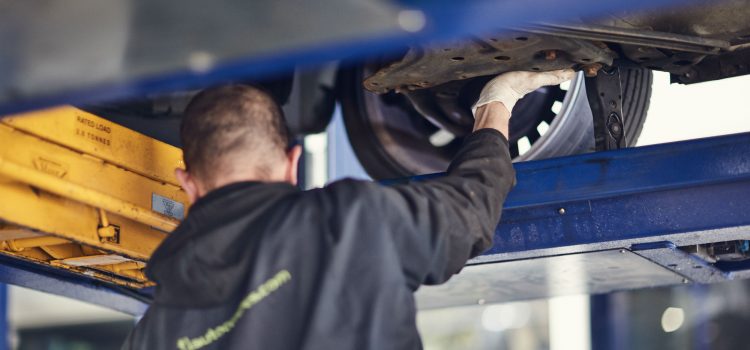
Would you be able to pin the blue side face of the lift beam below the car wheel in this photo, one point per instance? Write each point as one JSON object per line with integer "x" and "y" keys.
{"x": 686, "y": 192}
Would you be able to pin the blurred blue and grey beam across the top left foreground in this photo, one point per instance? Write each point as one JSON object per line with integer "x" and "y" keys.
{"x": 86, "y": 50}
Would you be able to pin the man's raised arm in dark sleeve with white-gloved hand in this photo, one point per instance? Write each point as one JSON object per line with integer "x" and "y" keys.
{"x": 438, "y": 224}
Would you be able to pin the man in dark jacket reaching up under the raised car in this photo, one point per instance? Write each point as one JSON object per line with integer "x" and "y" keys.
{"x": 259, "y": 264}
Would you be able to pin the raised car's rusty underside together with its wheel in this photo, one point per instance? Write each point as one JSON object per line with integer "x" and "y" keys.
{"x": 438, "y": 82}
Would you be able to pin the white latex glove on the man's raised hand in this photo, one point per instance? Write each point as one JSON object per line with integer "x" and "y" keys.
{"x": 510, "y": 87}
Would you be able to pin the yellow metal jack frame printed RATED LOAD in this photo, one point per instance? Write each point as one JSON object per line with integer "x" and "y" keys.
{"x": 80, "y": 193}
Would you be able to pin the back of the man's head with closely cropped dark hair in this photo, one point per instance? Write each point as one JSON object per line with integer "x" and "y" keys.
{"x": 229, "y": 121}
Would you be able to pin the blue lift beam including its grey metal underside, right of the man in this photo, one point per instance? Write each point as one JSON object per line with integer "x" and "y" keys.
{"x": 609, "y": 221}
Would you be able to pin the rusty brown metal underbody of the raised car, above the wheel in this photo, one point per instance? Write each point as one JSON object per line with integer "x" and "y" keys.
{"x": 684, "y": 42}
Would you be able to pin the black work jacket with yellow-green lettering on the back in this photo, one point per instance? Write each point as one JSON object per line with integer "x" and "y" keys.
{"x": 266, "y": 266}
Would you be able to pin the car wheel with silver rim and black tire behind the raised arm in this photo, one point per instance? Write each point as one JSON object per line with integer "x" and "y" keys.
{"x": 392, "y": 140}
